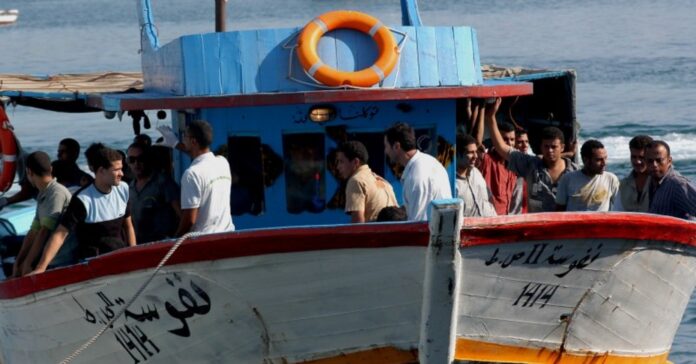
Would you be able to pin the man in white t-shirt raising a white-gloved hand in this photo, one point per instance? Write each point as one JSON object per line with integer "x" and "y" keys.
{"x": 207, "y": 183}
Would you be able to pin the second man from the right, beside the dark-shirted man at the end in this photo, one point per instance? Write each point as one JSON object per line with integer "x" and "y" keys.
{"x": 634, "y": 188}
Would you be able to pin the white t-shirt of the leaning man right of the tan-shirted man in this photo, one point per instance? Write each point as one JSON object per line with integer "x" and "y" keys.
{"x": 424, "y": 180}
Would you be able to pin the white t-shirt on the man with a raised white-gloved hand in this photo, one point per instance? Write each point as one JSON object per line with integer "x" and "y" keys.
{"x": 206, "y": 185}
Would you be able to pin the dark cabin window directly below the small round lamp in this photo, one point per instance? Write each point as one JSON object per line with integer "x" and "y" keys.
{"x": 304, "y": 172}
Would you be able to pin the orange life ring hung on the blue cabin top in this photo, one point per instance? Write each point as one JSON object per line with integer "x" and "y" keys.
{"x": 314, "y": 30}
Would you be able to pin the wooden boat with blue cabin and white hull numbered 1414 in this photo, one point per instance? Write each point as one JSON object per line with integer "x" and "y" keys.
{"x": 296, "y": 284}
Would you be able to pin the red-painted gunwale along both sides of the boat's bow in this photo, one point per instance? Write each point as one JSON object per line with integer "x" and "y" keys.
{"x": 475, "y": 232}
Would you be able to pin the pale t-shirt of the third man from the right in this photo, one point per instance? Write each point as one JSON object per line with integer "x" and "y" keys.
{"x": 579, "y": 192}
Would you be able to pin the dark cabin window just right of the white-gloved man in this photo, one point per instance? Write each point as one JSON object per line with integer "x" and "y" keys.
{"x": 246, "y": 167}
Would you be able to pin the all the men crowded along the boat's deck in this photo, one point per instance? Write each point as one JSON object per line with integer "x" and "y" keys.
{"x": 79, "y": 216}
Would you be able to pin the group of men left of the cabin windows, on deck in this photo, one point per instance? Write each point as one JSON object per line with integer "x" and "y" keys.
{"x": 79, "y": 216}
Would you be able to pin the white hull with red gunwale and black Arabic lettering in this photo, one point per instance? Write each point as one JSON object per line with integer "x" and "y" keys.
{"x": 346, "y": 294}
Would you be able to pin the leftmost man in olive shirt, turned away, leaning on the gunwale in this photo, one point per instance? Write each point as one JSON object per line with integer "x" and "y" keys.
{"x": 52, "y": 200}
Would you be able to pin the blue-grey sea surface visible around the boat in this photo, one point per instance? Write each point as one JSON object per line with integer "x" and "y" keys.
{"x": 636, "y": 62}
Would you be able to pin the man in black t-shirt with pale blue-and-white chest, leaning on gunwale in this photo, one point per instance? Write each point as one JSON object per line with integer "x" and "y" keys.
{"x": 98, "y": 213}
